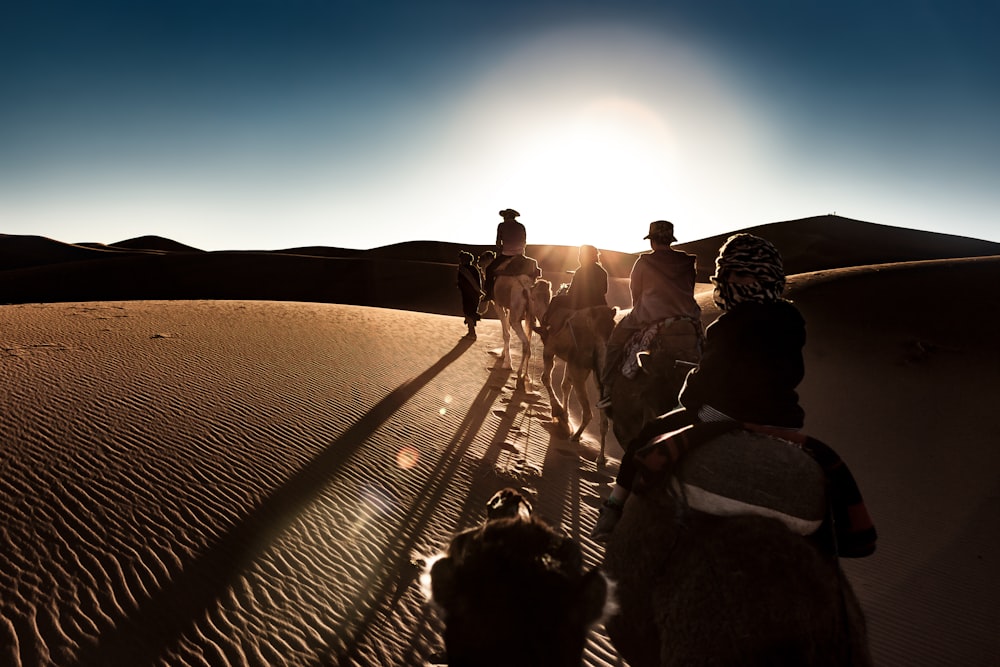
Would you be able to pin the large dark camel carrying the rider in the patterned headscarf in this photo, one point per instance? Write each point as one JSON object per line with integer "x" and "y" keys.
{"x": 699, "y": 583}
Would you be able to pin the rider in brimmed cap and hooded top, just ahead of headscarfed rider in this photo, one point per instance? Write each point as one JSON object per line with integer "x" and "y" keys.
{"x": 662, "y": 285}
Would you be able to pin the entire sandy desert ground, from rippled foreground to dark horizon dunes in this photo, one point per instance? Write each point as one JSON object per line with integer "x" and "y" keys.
{"x": 240, "y": 457}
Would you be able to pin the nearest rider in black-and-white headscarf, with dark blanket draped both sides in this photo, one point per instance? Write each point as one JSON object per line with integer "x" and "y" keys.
{"x": 751, "y": 365}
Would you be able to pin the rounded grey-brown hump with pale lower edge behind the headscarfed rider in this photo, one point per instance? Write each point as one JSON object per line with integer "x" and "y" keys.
{"x": 741, "y": 473}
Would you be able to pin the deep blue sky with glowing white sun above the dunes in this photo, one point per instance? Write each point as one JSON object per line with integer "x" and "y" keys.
{"x": 272, "y": 124}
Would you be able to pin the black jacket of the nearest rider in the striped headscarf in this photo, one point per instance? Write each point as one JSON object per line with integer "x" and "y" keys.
{"x": 751, "y": 365}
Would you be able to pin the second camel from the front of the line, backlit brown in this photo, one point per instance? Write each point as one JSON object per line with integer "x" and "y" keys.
{"x": 580, "y": 343}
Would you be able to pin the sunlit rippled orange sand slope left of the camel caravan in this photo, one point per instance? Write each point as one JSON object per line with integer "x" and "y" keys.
{"x": 237, "y": 483}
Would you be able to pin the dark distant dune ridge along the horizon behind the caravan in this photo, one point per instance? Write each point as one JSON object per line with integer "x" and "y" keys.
{"x": 417, "y": 275}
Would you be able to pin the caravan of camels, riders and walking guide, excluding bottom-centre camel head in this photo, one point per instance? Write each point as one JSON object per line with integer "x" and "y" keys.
{"x": 724, "y": 473}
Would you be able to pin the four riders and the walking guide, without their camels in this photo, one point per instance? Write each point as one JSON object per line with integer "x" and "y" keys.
{"x": 749, "y": 359}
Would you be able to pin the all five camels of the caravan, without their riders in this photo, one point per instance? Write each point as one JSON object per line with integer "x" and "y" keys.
{"x": 677, "y": 586}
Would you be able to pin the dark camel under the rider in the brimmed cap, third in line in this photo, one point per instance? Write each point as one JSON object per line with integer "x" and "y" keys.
{"x": 673, "y": 352}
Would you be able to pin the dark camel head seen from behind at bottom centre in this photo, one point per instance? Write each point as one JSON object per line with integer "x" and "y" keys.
{"x": 513, "y": 591}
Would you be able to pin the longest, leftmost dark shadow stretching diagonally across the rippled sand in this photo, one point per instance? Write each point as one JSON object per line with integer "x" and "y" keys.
{"x": 159, "y": 621}
